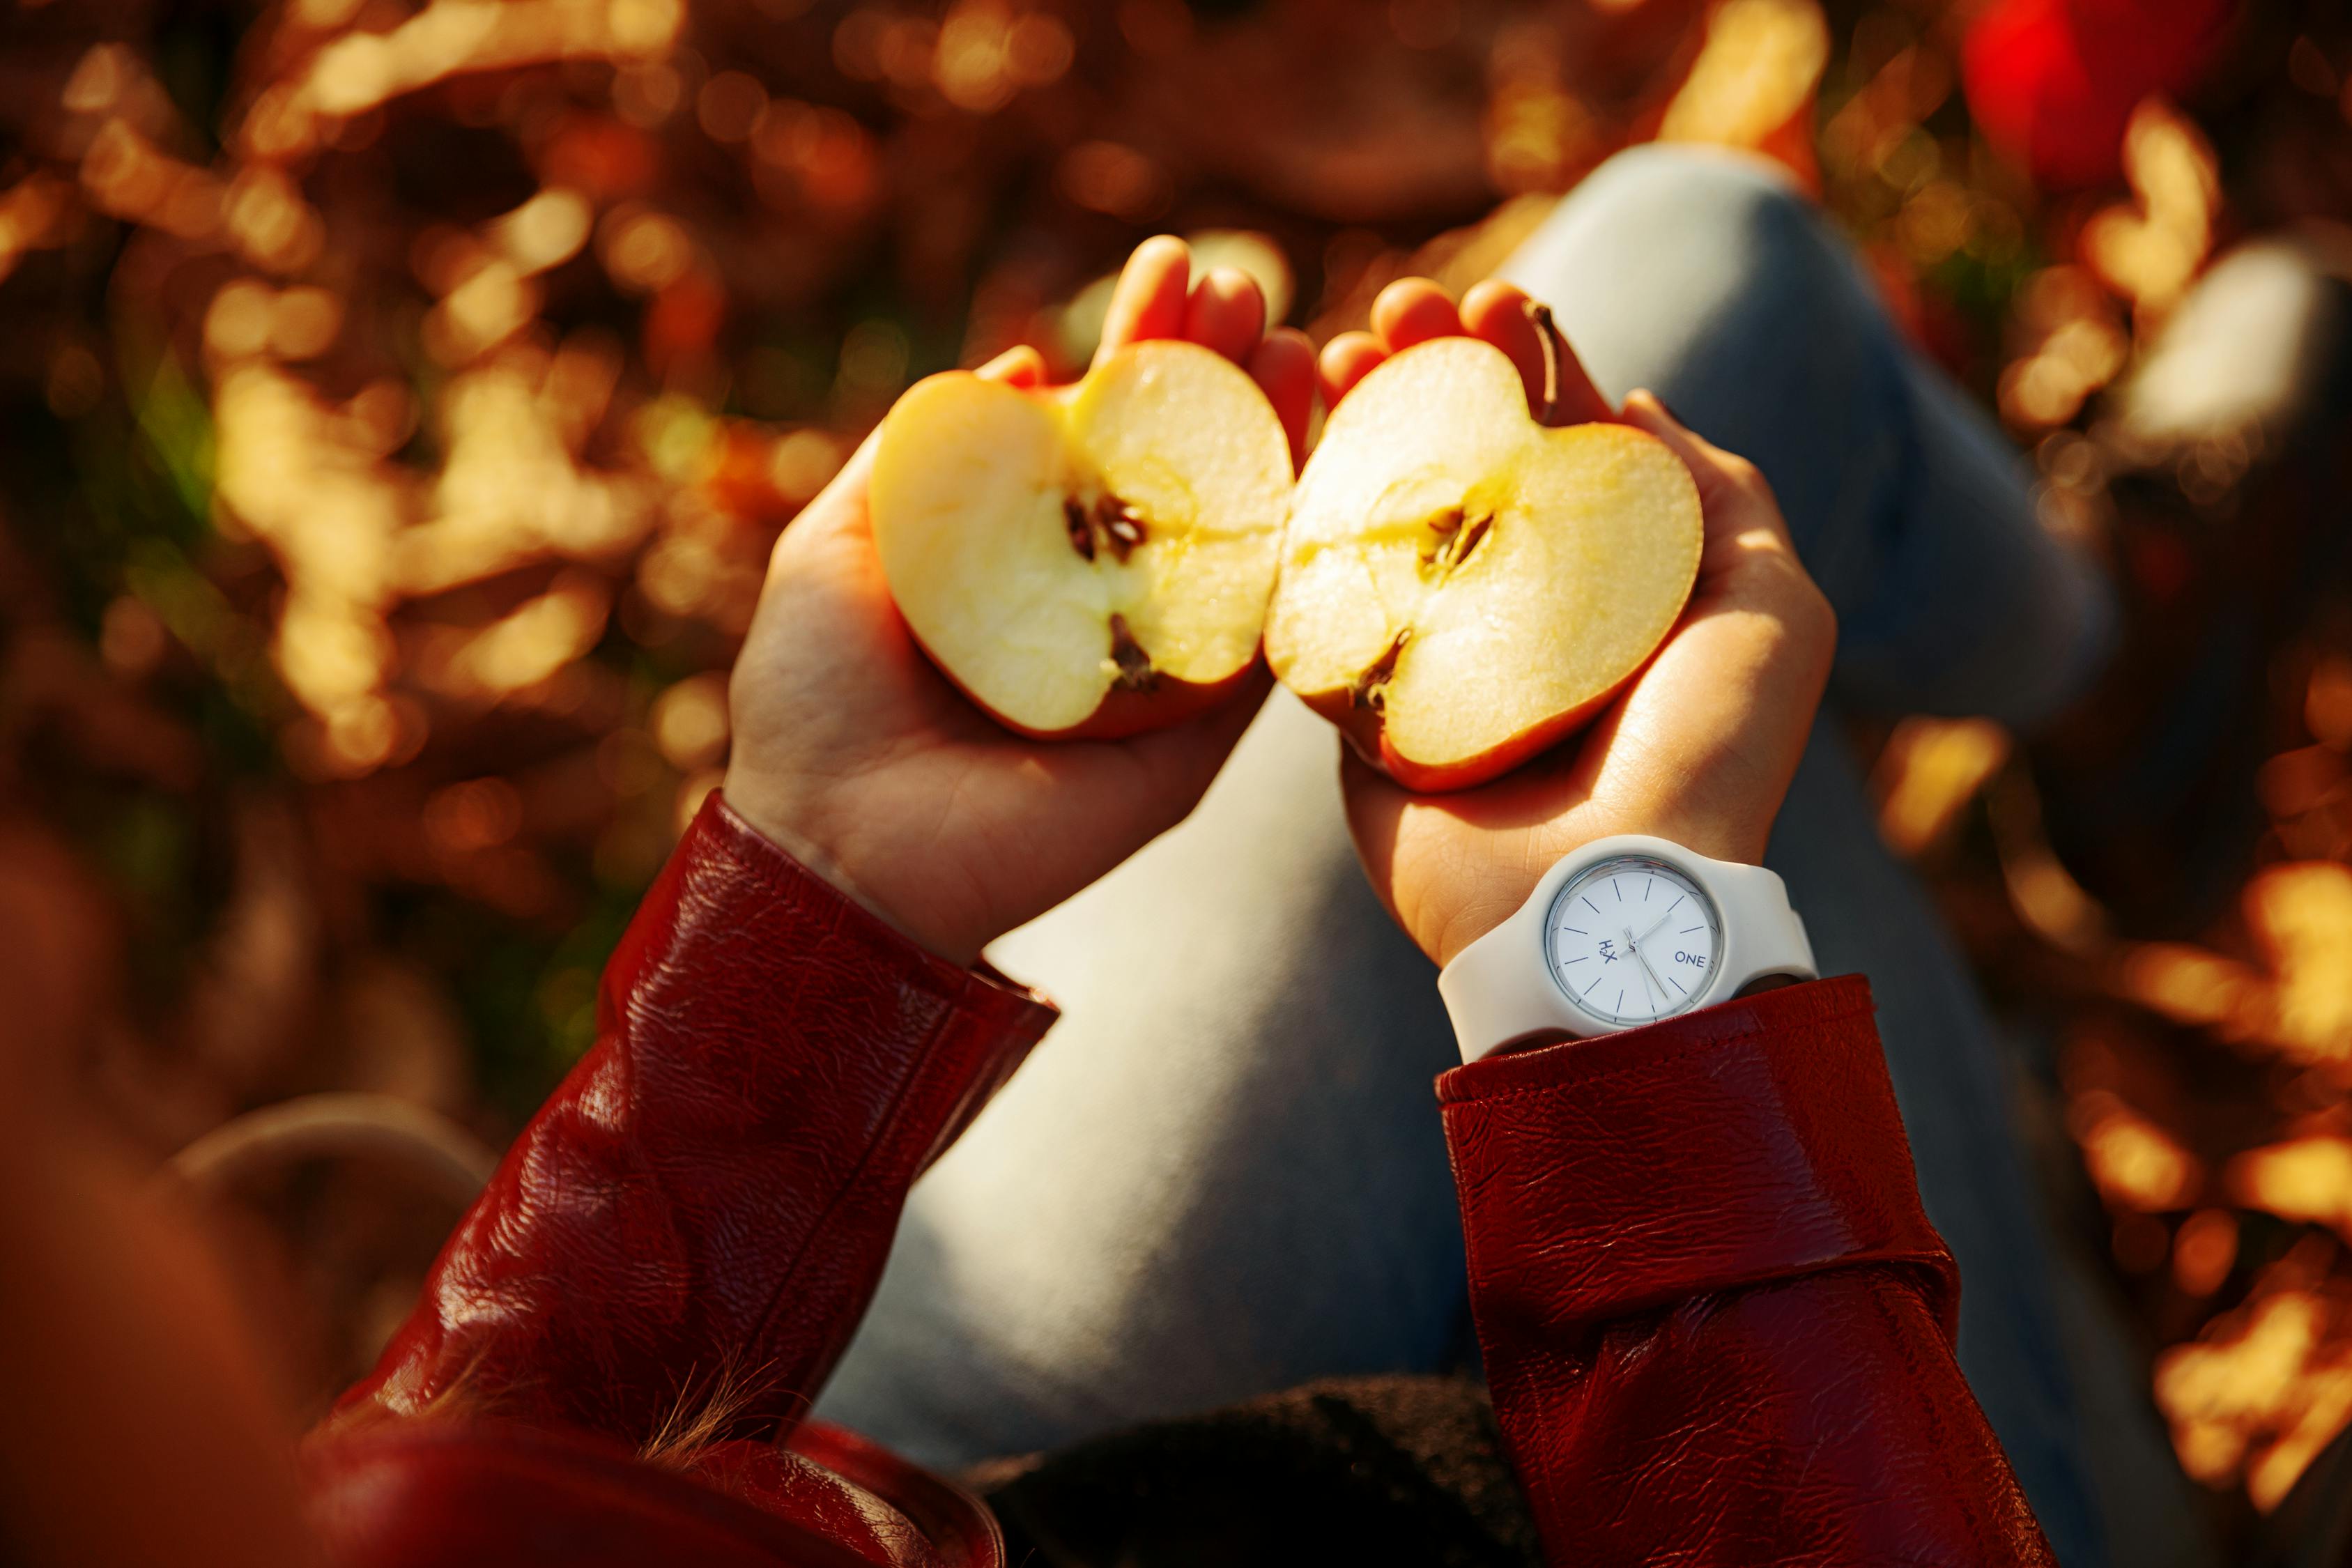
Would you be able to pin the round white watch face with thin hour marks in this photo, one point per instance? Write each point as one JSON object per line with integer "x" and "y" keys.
{"x": 1633, "y": 939}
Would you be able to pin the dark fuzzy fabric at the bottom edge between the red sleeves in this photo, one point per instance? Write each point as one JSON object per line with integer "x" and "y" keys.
{"x": 1370, "y": 1470}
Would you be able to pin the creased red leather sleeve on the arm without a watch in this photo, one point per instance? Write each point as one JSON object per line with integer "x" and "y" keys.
{"x": 707, "y": 1200}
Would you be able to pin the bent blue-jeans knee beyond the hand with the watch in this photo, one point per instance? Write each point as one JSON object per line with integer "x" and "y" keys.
{"x": 1702, "y": 276}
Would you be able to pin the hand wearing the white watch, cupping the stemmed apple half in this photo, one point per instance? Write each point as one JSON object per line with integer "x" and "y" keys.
{"x": 1704, "y": 742}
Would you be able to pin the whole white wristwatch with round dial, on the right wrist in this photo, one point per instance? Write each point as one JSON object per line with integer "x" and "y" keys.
{"x": 1619, "y": 934}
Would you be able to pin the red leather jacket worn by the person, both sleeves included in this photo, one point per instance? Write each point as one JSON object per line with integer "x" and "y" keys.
{"x": 1716, "y": 1320}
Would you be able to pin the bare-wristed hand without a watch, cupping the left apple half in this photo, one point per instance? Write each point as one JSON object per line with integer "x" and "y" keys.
{"x": 871, "y": 770}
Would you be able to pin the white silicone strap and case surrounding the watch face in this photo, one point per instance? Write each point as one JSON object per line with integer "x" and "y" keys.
{"x": 1502, "y": 986}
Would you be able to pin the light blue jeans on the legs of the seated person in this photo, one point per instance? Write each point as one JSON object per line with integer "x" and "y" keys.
{"x": 1222, "y": 1174}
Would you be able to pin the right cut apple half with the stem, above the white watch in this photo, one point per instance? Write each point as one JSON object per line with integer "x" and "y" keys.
{"x": 1462, "y": 587}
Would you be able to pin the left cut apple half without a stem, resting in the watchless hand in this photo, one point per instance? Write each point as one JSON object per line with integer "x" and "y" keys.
{"x": 1085, "y": 561}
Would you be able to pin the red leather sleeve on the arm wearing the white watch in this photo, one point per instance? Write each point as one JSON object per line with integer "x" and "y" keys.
{"x": 1718, "y": 1325}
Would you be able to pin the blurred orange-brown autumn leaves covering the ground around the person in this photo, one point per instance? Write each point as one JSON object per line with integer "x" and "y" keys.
{"x": 403, "y": 398}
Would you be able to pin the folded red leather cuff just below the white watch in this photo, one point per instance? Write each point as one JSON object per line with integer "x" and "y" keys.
{"x": 1728, "y": 1148}
